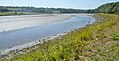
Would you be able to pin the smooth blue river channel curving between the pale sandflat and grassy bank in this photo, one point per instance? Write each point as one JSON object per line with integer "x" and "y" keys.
{"x": 22, "y": 36}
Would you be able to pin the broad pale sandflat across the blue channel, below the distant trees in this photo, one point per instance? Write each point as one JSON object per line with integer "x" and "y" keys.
{"x": 8, "y": 23}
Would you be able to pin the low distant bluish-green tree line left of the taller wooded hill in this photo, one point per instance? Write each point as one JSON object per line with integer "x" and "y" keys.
{"x": 43, "y": 10}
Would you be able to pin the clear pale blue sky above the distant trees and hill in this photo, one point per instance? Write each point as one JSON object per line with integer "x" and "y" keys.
{"x": 75, "y": 4}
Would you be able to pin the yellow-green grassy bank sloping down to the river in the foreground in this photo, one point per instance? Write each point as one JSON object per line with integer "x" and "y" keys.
{"x": 99, "y": 41}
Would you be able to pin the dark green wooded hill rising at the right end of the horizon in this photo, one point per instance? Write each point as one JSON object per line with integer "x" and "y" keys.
{"x": 110, "y": 8}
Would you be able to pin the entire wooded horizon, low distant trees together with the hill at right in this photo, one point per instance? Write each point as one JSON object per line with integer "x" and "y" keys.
{"x": 110, "y": 8}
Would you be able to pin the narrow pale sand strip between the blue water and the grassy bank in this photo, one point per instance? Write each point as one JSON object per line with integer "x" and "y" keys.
{"x": 33, "y": 43}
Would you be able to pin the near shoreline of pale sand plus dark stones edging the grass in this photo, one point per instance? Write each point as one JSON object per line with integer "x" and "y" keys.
{"x": 8, "y": 53}
